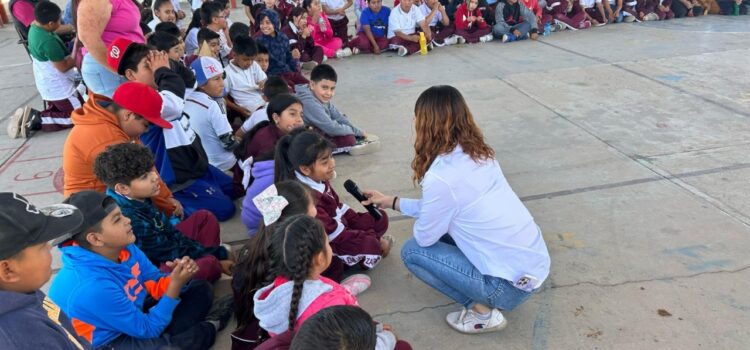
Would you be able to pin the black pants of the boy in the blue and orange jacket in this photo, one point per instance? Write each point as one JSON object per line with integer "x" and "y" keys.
{"x": 188, "y": 329}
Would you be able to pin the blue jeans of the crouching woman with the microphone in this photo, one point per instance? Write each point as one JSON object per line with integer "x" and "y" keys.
{"x": 445, "y": 267}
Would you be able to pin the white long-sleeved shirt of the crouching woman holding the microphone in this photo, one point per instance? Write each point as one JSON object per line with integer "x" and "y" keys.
{"x": 475, "y": 205}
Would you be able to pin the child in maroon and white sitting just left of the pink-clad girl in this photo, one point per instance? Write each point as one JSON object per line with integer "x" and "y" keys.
{"x": 301, "y": 40}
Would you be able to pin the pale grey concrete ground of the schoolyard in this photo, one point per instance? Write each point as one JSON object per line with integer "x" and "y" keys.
{"x": 627, "y": 143}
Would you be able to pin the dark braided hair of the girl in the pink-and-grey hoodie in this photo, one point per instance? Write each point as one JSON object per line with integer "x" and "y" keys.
{"x": 294, "y": 244}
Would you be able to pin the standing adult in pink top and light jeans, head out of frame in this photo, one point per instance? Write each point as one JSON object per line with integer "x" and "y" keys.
{"x": 99, "y": 23}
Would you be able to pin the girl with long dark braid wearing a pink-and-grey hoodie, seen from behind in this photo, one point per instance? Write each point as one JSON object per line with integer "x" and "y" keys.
{"x": 300, "y": 253}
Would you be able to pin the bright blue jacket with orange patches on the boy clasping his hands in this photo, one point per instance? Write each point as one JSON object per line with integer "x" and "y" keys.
{"x": 107, "y": 298}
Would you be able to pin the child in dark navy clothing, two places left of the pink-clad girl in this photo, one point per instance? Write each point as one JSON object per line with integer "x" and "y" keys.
{"x": 281, "y": 61}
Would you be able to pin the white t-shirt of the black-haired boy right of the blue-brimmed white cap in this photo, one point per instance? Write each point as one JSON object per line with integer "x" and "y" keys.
{"x": 242, "y": 84}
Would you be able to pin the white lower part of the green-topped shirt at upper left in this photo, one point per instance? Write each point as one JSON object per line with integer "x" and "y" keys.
{"x": 52, "y": 84}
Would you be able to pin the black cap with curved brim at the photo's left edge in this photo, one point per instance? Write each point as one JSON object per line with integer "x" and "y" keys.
{"x": 22, "y": 224}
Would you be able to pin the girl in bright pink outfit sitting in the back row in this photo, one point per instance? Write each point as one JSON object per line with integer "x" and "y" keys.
{"x": 322, "y": 31}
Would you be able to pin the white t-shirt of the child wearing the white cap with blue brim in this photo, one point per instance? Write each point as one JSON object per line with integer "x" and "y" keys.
{"x": 209, "y": 120}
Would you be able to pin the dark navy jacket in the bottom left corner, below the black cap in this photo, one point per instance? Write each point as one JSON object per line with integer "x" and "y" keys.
{"x": 33, "y": 321}
